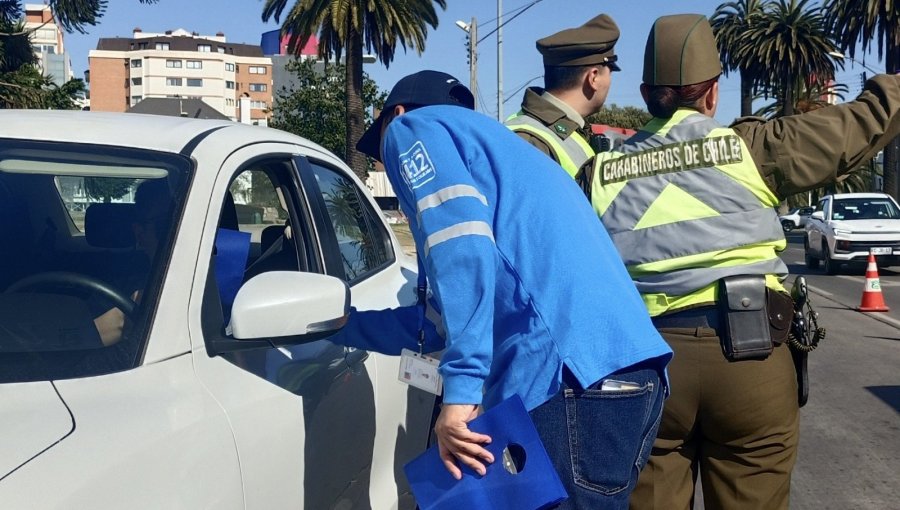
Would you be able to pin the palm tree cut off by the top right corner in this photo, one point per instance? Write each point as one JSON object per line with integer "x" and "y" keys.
{"x": 865, "y": 22}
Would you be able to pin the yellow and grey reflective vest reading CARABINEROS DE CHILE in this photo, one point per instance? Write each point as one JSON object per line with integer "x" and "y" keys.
{"x": 686, "y": 206}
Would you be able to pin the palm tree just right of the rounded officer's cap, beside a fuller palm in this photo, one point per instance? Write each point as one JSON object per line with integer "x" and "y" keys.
{"x": 730, "y": 23}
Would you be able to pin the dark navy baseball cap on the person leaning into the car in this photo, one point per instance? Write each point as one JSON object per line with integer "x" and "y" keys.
{"x": 425, "y": 88}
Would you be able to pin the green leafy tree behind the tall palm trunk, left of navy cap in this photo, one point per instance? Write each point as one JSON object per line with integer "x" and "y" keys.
{"x": 316, "y": 107}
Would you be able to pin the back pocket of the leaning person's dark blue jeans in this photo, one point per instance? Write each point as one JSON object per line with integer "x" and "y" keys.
{"x": 606, "y": 431}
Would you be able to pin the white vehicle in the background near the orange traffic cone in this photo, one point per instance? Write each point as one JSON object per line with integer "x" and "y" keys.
{"x": 846, "y": 227}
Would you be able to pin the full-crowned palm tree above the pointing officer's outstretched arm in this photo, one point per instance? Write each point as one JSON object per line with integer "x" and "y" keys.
{"x": 790, "y": 42}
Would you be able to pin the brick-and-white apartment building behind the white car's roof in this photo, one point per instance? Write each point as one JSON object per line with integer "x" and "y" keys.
{"x": 235, "y": 79}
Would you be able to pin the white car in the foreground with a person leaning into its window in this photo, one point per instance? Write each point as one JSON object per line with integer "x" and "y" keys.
{"x": 123, "y": 381}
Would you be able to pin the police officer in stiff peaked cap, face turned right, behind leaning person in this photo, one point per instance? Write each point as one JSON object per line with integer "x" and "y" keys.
{"x": 578, "y": 66}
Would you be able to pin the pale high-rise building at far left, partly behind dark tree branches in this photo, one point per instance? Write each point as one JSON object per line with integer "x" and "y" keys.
{"x": 47, "y": 41}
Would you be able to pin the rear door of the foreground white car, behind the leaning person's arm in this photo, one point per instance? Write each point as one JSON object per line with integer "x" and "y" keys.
{"x": 362, "y": 249}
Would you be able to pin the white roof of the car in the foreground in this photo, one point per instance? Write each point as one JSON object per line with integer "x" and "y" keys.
{"x": 152, "y": 132}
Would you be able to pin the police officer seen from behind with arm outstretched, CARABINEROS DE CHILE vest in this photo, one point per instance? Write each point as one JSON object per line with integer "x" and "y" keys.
{"x": 690, "y": 207}
